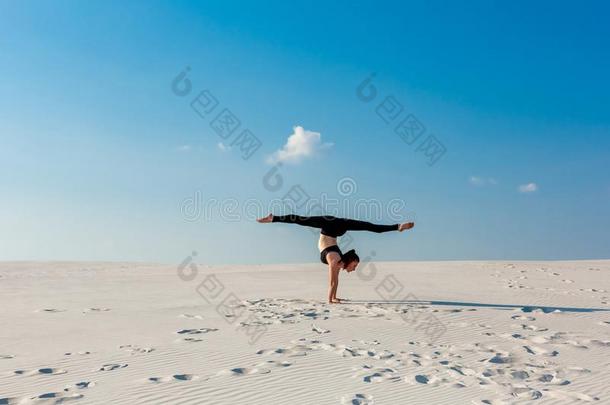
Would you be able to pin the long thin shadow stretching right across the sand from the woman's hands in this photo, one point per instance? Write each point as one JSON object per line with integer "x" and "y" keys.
{"x": 523, "y": 308}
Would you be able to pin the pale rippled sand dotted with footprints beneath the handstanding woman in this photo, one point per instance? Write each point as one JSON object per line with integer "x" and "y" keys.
{"x": 108, "y": 333}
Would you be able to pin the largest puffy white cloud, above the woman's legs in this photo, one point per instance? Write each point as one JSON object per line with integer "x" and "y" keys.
{"x": 299, "y": 145}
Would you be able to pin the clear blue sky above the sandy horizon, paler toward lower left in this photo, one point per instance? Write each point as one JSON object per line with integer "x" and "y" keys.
{"x": 98, "y": 154}
